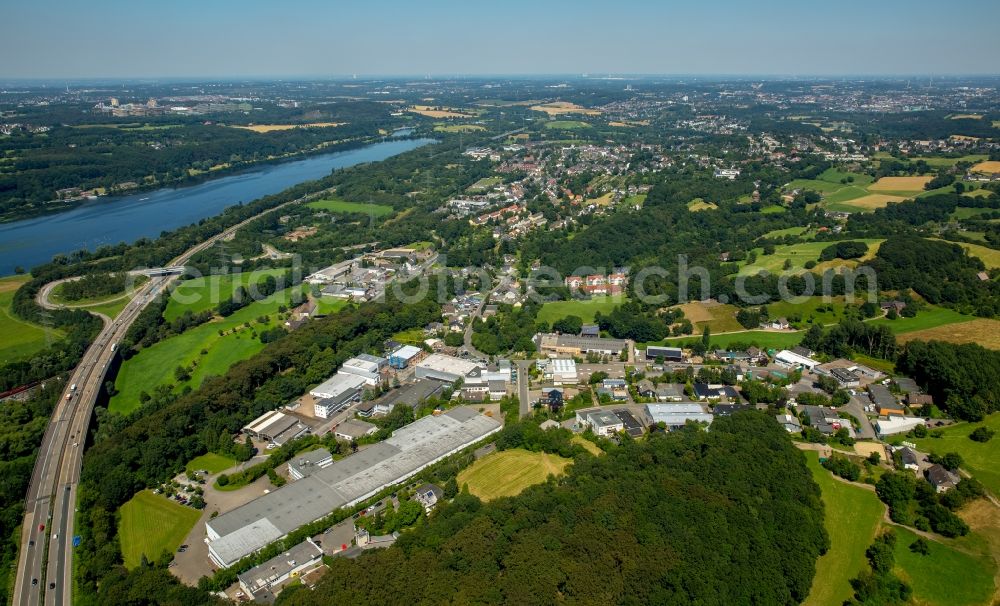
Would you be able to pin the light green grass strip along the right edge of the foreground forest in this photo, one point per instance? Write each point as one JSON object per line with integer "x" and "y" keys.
{"x": 852, "y": 516}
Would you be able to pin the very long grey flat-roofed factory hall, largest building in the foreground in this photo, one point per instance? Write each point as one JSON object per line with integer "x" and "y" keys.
{"x": 346, "y": 482}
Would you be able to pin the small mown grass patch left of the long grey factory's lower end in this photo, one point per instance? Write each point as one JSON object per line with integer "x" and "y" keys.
{"x": 152, "y": 524}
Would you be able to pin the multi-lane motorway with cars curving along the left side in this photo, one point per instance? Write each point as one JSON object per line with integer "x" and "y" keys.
{"x": 45, "y": 564}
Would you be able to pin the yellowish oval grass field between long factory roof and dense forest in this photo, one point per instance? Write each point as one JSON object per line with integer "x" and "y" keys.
{"x": 507, "y": 473}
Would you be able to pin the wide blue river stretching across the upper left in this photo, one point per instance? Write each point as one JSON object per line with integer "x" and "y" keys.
{"x": 117, "y": 219}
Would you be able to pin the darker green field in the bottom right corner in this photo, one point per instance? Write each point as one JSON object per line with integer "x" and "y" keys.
{"x": 946, "y": 576}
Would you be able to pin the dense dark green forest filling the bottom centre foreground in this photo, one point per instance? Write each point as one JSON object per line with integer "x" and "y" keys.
{"x": 579, "y": 539}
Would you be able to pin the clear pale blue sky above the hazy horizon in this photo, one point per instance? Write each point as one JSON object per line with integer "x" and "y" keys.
{"x": 329, "y": 38}
